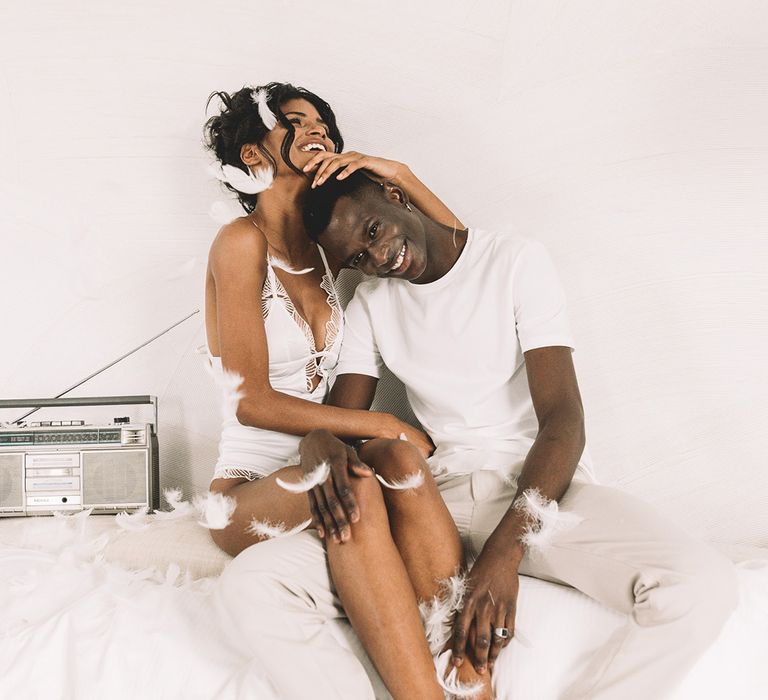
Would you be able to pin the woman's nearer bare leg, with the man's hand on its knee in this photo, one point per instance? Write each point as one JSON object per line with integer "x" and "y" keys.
{"x": 367, "y": 570}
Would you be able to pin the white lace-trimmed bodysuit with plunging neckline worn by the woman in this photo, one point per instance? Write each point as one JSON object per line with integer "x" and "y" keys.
{"x": 294, "y": 362}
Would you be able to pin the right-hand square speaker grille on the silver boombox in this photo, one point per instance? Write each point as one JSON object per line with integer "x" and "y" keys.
{"x": 114, "y": 477}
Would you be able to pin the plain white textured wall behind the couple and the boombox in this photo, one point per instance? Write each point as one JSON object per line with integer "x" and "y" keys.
{"x": 629, "y": 137}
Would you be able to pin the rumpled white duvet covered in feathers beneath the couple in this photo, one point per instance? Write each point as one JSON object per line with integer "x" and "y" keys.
{"x": 73, "y": 625}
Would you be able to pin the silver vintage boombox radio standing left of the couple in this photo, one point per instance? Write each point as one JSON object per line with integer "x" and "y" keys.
{"x": 68, "y": 465}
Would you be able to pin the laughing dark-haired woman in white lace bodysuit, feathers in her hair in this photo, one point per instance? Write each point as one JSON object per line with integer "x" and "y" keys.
{"x": 273, "y": 320}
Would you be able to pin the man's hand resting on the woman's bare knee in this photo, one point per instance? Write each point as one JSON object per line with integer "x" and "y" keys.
{"x": 332, "y": 503}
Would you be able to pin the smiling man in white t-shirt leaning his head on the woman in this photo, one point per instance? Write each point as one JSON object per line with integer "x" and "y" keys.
{"x": 474, "y": 325}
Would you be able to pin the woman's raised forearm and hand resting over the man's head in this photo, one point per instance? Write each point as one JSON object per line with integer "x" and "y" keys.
{"x": 393, "y": 171}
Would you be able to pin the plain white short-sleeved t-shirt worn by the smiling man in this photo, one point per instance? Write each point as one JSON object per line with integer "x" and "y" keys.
{"x": 457, "y": 345}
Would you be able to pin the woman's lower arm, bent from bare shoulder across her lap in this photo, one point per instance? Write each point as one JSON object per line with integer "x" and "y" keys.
{"x": 238, "y": 264}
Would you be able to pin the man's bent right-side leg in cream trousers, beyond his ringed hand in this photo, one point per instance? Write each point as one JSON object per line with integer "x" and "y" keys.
{"x": 677, "y": 591}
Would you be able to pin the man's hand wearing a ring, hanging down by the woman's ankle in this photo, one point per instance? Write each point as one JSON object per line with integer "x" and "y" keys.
{"x": 490, "y": 603}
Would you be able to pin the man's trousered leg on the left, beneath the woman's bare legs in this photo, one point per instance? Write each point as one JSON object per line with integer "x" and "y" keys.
{"x": 277, "y": 603}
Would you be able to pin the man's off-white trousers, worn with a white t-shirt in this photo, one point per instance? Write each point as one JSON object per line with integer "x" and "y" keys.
{"x": 677, "y": 593}
